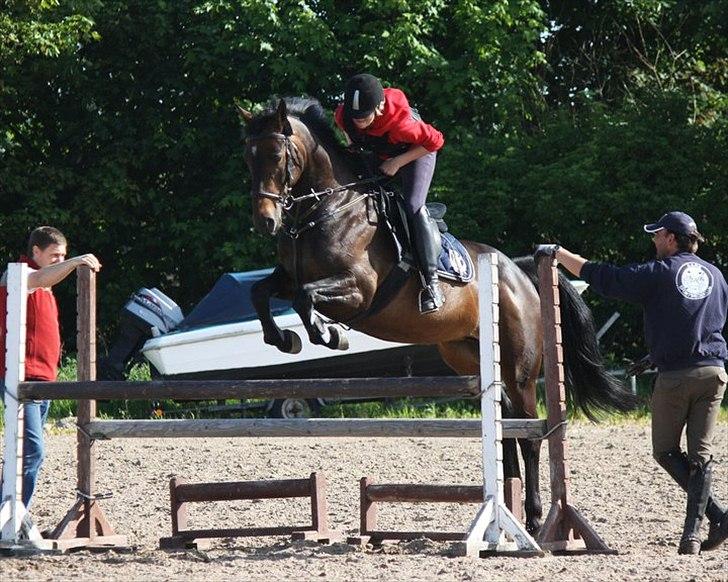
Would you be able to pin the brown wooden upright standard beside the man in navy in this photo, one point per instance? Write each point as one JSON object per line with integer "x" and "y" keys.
{"x": 565, "y": 529}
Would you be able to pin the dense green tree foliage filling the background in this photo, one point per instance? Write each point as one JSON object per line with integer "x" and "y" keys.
{"x": 563, "y": 121}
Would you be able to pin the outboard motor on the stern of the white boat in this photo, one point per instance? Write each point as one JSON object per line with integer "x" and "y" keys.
{"x": 148, "y": 313}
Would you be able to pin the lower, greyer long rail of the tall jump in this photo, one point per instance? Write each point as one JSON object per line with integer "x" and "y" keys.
{"x": 305, "y": 427}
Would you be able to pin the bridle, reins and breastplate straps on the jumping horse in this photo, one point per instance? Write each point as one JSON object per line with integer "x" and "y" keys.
{"x": 289, "y": 202}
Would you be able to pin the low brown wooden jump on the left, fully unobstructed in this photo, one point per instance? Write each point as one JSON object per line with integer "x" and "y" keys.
{"x": 182, "y": 493}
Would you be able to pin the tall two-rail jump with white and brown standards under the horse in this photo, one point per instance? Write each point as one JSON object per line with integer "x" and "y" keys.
{"x": 495, "y": 528}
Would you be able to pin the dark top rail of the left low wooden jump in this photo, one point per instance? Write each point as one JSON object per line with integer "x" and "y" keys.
{"x": 237, "y": 490}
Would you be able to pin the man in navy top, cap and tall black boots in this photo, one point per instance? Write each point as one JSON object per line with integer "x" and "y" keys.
{"x": 685, "y": 300}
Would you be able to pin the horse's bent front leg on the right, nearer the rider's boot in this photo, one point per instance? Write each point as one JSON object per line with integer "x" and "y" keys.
{"x": 337, "y": 291}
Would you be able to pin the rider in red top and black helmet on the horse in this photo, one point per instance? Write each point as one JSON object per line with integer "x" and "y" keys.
{"x": 382, "y": 121}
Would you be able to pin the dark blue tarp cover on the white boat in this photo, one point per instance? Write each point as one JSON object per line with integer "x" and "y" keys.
{"x": 229, "y": 301}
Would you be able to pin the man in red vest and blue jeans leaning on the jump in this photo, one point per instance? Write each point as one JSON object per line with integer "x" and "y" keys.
{"x": 46, "y": 257}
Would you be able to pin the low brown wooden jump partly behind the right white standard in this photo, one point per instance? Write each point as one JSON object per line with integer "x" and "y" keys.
{"x": 371, "y": 494}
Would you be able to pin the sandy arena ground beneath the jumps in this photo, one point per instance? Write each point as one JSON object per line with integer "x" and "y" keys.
{"x": 615, "y": 483}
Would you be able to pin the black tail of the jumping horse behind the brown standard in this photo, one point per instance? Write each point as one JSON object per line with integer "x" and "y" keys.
{"x": 589, "y": 384}
